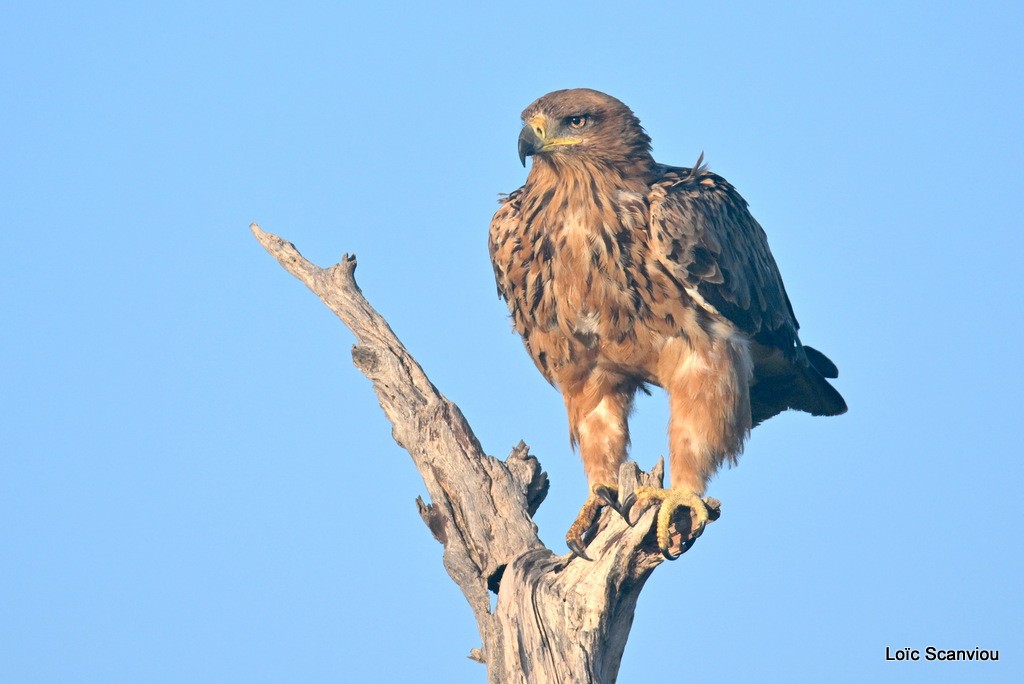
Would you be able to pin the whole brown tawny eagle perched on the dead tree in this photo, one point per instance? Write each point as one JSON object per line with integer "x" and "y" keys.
{"x": 619, "y": 273}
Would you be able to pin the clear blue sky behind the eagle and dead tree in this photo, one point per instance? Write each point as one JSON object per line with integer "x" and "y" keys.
{"x": 196, "y": 486}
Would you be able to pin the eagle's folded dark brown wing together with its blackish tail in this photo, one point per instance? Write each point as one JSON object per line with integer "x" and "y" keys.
{"x": 722, "y": 256}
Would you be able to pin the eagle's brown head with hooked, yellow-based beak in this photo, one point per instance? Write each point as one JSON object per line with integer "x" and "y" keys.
{"x": 583, "y": 124}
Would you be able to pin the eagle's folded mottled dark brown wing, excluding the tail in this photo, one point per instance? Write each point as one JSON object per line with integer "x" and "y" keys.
{"x": 701, "y": 224}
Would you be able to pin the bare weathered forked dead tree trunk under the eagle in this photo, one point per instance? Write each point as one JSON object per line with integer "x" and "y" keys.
{"x": 559, "y": 619}
